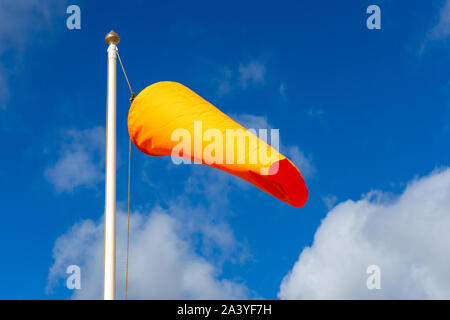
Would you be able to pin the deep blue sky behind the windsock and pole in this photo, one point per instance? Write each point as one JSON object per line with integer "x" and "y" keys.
{"x": 360, "y": 109}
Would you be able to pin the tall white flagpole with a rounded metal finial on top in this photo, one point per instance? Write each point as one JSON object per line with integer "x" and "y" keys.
{"x": 109, "y": 264}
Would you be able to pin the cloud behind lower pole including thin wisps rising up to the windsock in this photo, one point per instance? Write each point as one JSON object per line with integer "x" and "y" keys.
{"x": 177, "y": 252}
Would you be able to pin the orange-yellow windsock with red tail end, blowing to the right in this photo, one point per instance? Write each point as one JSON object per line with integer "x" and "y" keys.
{"x": 169, "y": 119}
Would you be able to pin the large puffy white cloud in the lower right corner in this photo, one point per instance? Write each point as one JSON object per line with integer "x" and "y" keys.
{"x": 406, "y": 236}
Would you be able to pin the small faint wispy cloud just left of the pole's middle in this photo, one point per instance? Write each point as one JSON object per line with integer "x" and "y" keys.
{"x": 81, "y": 161}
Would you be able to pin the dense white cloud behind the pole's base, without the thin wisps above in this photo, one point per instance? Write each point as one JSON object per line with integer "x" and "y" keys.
{"x": 163, "y": 263}
